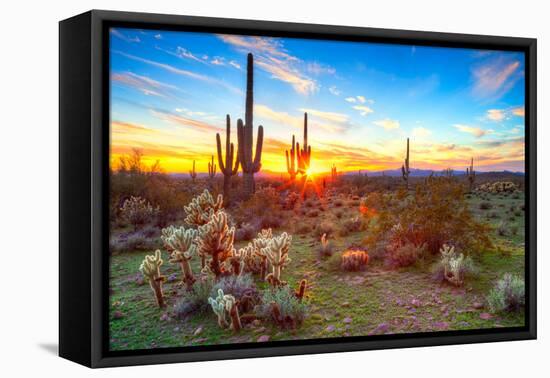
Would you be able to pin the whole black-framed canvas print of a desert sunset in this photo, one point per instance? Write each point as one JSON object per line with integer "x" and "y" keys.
{"x": 233, "y": 188}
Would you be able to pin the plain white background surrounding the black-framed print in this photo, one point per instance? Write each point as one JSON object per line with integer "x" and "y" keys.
{"x": 29, "y": 189}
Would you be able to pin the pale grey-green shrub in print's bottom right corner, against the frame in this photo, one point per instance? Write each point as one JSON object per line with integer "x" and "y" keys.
{"x": 508, "y": 294}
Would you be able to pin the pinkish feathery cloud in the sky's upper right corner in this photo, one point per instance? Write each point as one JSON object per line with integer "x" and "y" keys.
{"x": 495, "y": 78}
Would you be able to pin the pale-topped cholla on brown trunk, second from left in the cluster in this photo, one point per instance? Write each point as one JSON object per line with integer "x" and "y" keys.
{"x": 181, "y": 243}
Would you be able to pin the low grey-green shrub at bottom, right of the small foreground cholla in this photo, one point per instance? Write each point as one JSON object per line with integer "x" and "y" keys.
{"x": 280, "y": 306}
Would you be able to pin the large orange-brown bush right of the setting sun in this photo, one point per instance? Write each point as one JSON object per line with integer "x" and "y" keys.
{"x": 435, "y": 214}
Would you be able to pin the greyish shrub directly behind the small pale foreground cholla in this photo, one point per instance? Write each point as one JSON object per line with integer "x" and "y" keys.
{"x": 242, "y": 287}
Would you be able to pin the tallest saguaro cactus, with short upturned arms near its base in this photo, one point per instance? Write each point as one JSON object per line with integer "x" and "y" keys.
{"x": 250, "y": 163}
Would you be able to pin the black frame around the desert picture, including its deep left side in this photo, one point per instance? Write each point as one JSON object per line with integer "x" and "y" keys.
{"x": 83, "y": 180}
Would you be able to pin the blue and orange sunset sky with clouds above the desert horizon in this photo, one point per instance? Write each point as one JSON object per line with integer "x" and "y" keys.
{"x": 170, "y": 92}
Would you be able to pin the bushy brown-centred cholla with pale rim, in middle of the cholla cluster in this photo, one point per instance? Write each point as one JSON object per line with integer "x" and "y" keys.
{"x": 215, "y": 243}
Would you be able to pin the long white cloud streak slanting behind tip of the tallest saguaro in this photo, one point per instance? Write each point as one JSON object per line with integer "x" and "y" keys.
{"x": 270, "y": 56}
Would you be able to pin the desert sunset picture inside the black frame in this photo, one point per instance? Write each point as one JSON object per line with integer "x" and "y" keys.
{"x": 274, "y": 189}
